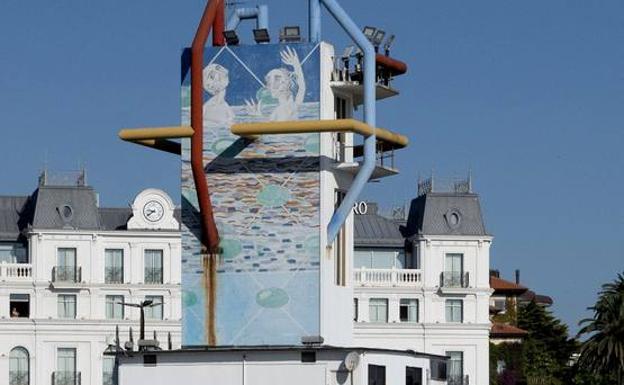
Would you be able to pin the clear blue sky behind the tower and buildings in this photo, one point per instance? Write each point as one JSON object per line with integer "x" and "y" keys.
{"x": 529, "y": 94}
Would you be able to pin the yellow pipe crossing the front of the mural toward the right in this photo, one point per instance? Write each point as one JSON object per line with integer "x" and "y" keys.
{"x": 387, "y": 139}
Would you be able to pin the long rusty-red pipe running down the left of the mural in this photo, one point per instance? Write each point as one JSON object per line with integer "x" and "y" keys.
{"x": 210, "y": 234}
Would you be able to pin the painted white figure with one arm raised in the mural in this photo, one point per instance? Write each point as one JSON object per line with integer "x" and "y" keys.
{"x": 278, "y": 90}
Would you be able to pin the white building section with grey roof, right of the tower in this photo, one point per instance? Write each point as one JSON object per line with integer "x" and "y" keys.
{"x": 422, "y": 283}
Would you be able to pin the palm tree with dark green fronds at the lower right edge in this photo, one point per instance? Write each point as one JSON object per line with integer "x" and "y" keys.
{"x": 602, "y": 353}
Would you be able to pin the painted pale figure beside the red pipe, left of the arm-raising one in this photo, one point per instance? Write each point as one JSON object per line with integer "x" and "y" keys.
{"x": 217, "y": 112}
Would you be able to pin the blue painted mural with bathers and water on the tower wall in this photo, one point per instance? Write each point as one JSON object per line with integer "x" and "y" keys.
{"x": 265, "y": 195}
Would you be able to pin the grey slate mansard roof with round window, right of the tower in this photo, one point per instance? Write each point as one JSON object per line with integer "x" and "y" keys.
{"x": 430, "y": 215}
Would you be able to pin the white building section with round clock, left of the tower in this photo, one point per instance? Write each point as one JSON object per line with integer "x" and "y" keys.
{"x": 66, "y": 268}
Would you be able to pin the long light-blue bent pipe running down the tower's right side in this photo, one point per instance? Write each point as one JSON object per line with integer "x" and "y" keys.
{"x": 368, "y": 166}
